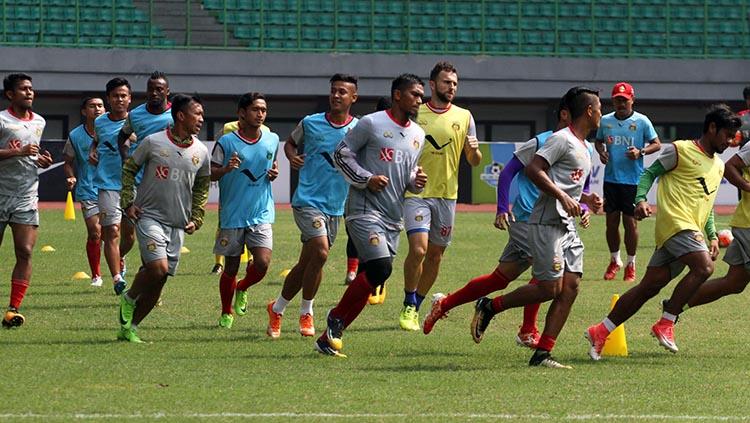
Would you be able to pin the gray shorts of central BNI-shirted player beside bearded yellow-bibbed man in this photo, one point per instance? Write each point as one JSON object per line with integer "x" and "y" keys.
{"x": 373, "y": 239}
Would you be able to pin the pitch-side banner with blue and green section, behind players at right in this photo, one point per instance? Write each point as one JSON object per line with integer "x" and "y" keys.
{"x": 496, "y": 154}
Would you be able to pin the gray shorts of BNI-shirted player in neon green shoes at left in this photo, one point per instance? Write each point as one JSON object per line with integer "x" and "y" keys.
{"x": 158, "y": 241}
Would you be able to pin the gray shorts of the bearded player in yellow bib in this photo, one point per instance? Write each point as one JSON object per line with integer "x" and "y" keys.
{"x": 435, "y": 216}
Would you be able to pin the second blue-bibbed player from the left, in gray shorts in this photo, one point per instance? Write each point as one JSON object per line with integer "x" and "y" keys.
{"x": 105, "y": 155}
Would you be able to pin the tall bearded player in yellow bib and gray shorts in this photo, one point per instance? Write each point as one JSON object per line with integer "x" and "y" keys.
{"x": 429, "y": 215}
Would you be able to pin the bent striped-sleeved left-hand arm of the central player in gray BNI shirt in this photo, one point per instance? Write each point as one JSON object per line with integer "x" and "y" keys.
{"x": 345, "y": 158}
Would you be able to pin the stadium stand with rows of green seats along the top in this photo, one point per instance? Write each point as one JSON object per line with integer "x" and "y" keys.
{"x": 620, "y": 28}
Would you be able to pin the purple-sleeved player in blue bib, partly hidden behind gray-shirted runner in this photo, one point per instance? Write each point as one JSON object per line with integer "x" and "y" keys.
{"x": 516, "y": 257}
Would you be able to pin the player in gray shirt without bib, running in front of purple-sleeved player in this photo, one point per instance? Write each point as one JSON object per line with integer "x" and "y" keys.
{"x": 559, "y": 169}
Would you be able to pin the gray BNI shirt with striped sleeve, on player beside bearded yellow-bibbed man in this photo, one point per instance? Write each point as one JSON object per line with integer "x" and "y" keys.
{"x": 379, "y": 146}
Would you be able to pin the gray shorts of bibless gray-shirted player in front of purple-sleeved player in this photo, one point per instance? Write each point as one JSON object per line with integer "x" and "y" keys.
{"x": 556, "y": 249}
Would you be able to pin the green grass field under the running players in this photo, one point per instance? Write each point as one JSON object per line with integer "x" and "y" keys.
{"x": 64, "y": 363}
